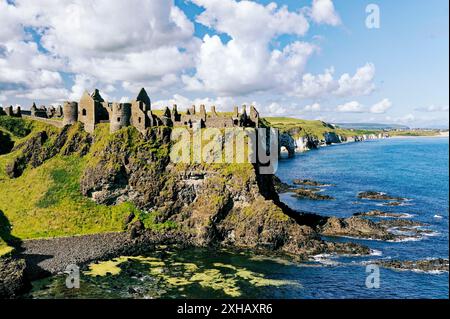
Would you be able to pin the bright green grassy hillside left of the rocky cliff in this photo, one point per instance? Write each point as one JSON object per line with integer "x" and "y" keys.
{"x": 46, "y": 201}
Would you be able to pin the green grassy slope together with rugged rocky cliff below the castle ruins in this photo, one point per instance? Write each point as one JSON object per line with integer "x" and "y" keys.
{"x": 109, "y": 175}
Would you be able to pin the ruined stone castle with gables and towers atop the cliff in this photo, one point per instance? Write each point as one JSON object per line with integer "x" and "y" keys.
{"x": 92, "y": 110}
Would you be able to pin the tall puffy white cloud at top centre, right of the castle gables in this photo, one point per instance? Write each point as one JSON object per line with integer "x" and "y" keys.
{"x": 245, "y": 64}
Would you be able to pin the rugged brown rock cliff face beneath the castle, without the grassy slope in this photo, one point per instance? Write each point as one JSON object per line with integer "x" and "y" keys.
{"x": 213, "y": 204}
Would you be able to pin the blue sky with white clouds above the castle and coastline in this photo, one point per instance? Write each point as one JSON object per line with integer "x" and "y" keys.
{"x": 314, "y": 59}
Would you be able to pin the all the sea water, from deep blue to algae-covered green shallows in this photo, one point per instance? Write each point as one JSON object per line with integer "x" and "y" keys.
{"x": 415, "y": 168}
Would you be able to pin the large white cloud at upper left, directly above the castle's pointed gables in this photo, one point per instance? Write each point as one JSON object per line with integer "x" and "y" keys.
{"x": 135, "y": 41}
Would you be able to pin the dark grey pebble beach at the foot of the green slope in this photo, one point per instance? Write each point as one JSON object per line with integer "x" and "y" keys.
{"x": 39, "y": 258}
